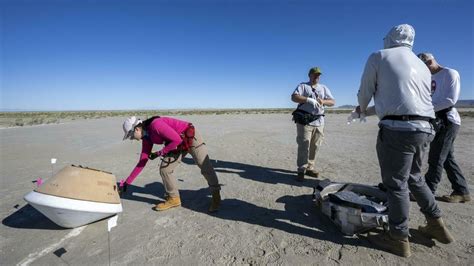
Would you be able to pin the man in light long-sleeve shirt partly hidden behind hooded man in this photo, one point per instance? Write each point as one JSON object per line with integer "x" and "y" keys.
{"x": 445, "y": 89}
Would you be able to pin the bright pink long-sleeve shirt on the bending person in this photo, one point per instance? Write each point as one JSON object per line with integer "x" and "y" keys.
{"x": 163, "y": 130}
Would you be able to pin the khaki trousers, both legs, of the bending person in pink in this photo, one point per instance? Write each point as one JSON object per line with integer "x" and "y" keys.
{"x": 198, "y": 151}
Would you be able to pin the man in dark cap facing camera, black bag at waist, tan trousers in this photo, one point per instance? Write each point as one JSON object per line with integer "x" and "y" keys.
{"x": 311, "y": 97}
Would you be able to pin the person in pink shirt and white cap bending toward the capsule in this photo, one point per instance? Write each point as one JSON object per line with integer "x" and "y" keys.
{"x": 179, "y": 138}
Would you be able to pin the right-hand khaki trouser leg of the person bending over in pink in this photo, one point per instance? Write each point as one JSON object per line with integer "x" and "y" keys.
{"x": 199, "y": 153}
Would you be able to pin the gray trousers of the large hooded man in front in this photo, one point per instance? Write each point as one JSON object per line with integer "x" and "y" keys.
{"x": 400, "y": 156}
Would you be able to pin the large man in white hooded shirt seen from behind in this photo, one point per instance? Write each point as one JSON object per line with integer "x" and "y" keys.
{"x": 399, "y": 83}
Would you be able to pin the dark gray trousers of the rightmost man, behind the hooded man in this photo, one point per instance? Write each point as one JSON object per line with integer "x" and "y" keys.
{"x": 442, "y": 155}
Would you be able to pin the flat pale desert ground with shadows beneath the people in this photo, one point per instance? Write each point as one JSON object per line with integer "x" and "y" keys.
{"x": 266, "y": 216}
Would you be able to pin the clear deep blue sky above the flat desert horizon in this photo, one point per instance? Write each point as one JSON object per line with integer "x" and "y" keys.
{"x": 96, "y": 55}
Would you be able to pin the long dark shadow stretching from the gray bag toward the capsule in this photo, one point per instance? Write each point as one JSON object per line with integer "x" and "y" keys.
{"x": 299, "y": 216}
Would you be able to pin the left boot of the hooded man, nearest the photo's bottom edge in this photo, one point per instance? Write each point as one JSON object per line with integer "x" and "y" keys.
{"x": 395, "y": 245}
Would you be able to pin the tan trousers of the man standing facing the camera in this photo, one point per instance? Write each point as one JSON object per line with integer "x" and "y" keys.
{"x": 309, "y": 140}
